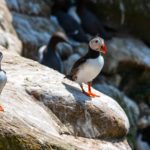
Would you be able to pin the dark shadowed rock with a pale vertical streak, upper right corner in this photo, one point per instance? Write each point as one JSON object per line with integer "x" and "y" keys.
{"x": 125, "y": 15}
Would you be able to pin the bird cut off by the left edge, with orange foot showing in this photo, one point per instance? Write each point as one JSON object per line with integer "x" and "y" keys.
{"x": 3, "y": 78}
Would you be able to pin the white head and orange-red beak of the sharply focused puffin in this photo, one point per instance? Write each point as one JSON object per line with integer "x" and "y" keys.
{"x": 98, "y": 44}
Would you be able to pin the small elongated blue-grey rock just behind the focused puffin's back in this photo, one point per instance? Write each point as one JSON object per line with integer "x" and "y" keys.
{"x": 70, "y": 62}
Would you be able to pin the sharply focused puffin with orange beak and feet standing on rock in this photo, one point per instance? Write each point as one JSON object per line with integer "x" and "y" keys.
{"x": 88, "y": 67}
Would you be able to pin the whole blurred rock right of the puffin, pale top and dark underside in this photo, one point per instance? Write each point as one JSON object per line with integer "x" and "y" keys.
{"x": 129, "y": 58}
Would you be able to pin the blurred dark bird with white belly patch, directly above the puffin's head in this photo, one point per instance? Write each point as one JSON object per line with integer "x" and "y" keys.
{"x": 88, "y": 20}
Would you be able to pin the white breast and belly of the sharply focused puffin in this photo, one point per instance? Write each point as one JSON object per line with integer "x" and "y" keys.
{"x": 90, "y": 69}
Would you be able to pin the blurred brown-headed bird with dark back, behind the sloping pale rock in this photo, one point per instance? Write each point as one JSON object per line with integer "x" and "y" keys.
{"x": 49, "y": 56}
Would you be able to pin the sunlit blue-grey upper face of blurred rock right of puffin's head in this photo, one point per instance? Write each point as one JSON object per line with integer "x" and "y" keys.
{"x": 125, "y": 50}
